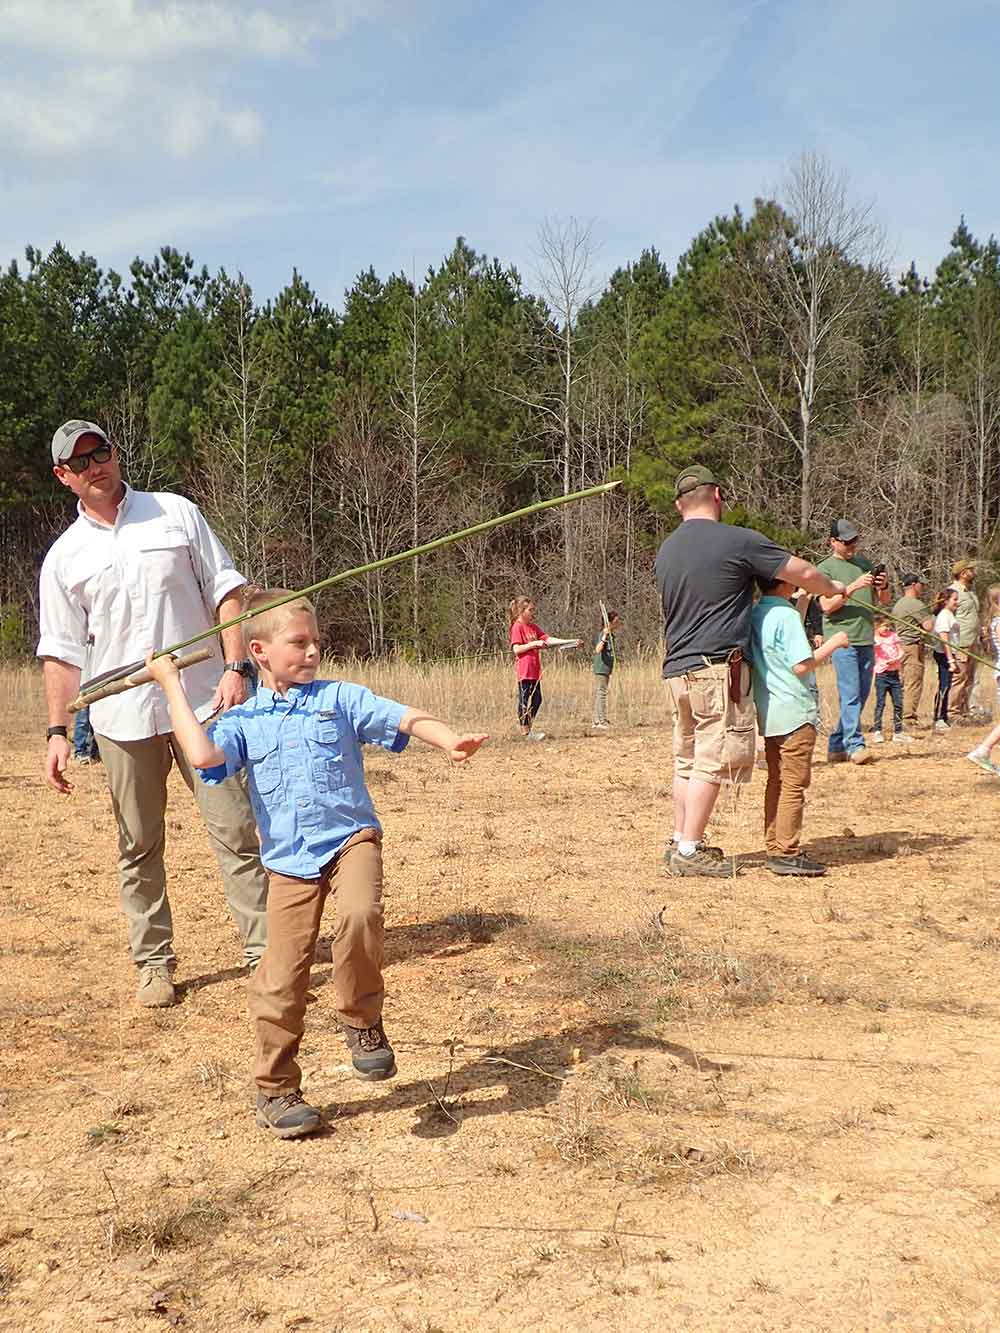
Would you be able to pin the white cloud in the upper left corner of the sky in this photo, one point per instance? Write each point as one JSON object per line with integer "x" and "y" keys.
{"x": 133, "y": 77}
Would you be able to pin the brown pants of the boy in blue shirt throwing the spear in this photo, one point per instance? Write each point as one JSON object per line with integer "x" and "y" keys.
{"x": 281, "y": 983}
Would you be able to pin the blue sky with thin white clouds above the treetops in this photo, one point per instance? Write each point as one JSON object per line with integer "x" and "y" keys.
{"x": 330, "y": 135}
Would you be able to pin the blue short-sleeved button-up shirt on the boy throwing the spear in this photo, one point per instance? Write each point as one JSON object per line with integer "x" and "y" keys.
{"x": 305, "y": 768}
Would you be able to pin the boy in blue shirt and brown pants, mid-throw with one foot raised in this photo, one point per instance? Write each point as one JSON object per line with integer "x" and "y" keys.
{"x": 299, "y": 740}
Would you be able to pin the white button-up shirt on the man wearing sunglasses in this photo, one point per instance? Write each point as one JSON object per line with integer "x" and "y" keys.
{"x": 110, "y": 594}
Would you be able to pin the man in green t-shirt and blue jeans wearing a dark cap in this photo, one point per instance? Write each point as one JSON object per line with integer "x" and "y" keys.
{"x": 853, "y": 613}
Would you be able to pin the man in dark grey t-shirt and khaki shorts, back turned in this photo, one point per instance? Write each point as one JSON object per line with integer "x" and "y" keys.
{"x": 706, "y": 573}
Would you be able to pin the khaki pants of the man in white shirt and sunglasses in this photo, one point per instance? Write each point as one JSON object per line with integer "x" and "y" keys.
{"x": 138, "y": 779}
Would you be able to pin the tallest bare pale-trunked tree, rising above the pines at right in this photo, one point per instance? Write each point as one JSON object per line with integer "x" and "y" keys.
{"x": 802, "y": 287}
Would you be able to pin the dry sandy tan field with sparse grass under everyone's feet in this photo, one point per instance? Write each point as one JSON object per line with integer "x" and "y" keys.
{"x": 625, "y": 1102}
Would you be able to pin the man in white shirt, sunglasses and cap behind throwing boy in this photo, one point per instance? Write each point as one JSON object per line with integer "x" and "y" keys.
{"x": 139, "y": 571}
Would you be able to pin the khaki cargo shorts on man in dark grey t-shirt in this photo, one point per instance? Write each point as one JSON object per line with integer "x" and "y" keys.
{"x": 714, "y": 736}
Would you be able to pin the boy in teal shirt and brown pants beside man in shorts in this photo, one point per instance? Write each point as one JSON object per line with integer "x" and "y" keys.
{"x": 789, "y": 712}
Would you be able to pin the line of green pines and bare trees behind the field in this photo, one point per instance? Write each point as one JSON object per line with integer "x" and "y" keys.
{"x": 781, "y": 350}
